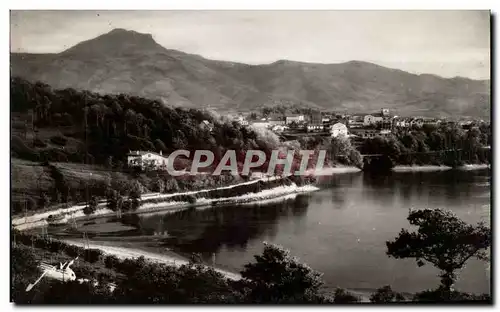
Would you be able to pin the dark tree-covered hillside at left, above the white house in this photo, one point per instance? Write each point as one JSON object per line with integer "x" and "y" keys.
{"x": 102, "y": 129}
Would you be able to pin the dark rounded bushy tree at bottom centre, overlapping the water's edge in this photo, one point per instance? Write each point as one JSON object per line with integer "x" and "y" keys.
{"x": 277, "y": 277}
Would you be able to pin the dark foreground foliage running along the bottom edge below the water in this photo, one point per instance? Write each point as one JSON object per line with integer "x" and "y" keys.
{"x": 275, "y": 277}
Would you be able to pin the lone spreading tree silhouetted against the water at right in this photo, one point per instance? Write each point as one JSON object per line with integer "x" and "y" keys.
{"x": 443, "y": 240}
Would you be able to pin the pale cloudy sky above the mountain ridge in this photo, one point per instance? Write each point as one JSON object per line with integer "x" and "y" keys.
{"x": 444, "y": 43}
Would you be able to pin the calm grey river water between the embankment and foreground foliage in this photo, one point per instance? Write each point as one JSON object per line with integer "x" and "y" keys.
{"x": 340, "y": 230}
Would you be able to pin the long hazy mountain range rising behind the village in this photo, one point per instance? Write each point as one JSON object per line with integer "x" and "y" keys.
{"x": 123, "y": 61}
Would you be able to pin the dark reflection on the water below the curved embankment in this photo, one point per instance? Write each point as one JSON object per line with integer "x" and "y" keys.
{"x": 206, "y": 231}
